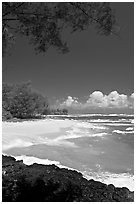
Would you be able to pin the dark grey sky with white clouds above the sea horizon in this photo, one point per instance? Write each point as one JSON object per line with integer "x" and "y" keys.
{"x": 97, "y": 75}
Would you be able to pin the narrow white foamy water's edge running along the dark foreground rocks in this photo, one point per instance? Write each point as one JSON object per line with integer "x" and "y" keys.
{"x": 110, "y": 178}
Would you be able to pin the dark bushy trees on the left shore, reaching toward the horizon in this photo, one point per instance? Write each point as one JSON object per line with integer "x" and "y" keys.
{"x": 20, "y": 101}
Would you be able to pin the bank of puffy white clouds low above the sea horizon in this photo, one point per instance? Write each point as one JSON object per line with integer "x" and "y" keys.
{"x": 98, "y": 100}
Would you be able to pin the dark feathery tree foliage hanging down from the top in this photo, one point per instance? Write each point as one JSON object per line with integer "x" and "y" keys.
{"x": 44, "y": 22}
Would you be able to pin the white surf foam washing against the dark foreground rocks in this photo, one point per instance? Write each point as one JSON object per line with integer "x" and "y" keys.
{"x": 118, "y": 180}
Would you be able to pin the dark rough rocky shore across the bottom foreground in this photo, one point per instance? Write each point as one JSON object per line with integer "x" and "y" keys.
{"x": 49, "y": 183}
